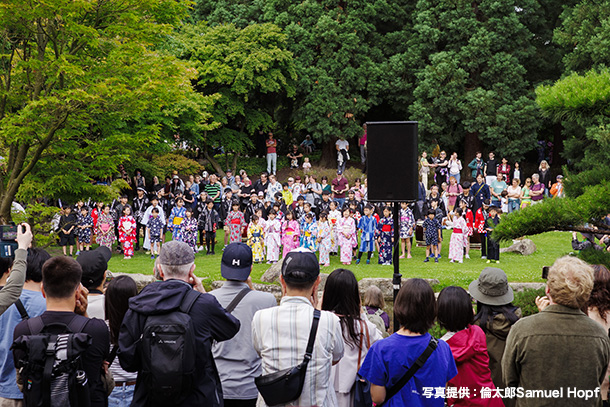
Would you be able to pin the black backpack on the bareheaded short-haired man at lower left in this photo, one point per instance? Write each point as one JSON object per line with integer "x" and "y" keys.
{"x": 52, "y": 367}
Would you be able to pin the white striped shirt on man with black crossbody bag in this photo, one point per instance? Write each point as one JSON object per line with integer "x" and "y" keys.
{"x": 280, "y": 335}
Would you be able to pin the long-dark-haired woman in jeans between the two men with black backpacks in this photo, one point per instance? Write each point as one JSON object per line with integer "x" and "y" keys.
{"x": 118, "y": 293}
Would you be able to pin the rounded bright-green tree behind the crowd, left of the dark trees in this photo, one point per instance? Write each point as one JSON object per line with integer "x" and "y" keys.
{"x": 248, "y": 69}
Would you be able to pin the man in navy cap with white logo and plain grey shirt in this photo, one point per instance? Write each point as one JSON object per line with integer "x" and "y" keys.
{"x": 237, "y": 361}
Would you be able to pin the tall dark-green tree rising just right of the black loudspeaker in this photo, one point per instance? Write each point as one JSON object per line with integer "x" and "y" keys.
{"x": 471, "y": 88}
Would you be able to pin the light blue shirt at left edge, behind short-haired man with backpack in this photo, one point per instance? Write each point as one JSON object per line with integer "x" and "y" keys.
{"x": 35, "y": 305}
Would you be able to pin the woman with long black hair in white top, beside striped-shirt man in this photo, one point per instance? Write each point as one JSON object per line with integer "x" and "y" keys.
{"x": 341, "y": 296}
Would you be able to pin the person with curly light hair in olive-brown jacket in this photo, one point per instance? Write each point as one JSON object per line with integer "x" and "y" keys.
{"x": 558, "y": 356}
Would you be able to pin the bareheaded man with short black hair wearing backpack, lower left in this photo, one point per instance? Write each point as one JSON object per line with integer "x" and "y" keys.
{"x": 59, "y": 355}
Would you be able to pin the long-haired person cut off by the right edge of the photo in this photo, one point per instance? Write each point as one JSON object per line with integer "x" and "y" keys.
{"x": 598, "y": 309}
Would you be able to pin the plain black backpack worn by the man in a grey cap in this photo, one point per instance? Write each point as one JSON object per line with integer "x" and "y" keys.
{"x": 168, "y": 354}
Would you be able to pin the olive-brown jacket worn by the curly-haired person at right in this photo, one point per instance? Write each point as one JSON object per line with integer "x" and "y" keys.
{"x": 557, "y": 349}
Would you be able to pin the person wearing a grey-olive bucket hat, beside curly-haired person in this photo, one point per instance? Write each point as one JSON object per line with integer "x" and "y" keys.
{"x": 495, "y": 315}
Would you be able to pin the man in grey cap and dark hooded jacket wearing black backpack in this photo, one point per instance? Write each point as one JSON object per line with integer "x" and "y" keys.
{"x": 167, "y": 335}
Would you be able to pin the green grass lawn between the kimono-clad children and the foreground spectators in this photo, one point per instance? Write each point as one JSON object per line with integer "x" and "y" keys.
{"x": 519, "y": 268}
